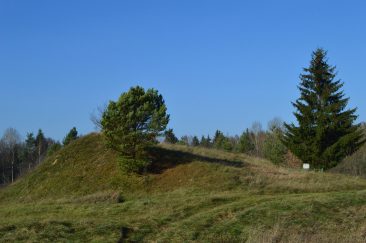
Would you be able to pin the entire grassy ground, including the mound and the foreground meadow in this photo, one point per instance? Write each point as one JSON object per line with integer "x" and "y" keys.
{"x": 190, "y": 194}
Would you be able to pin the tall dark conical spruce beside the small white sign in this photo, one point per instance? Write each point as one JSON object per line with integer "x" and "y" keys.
{"x": 326, "y": 132}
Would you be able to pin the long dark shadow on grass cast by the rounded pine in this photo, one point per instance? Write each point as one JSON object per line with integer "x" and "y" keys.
{"x": 163, "y": 159}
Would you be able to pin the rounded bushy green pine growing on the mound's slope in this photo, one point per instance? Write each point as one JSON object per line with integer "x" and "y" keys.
{"x": 132, "y": 124}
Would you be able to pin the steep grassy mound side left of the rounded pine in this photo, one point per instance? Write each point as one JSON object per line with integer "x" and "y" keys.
{"x": 83, "y": 167}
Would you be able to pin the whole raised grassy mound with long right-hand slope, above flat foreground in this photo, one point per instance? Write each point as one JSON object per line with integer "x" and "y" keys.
{"x": 86, "y": 167}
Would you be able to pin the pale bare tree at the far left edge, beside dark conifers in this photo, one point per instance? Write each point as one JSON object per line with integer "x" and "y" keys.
{"x": 11, "y": 139}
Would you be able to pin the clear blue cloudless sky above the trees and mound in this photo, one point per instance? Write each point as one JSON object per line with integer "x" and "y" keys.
{"x": 218, "y": 64}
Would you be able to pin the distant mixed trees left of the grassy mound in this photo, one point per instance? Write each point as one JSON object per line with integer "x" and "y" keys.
{"x": 17, "y": 157}
